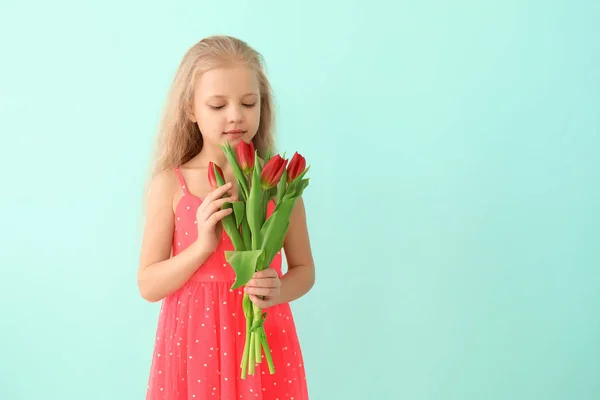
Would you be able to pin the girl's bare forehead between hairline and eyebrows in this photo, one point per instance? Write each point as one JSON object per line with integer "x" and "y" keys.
{"x": 228, "y": 82}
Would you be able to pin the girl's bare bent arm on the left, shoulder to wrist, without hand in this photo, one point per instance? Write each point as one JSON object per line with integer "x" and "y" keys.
{"x": 159, "y": 274}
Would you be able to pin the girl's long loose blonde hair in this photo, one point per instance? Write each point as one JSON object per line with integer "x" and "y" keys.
{"x": 179, "y": 139}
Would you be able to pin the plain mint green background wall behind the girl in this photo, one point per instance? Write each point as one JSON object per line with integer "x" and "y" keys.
{"x": 453, "y": 205}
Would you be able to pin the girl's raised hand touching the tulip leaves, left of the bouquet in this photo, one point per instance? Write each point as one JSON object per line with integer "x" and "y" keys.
{"x": 209, "y": 216}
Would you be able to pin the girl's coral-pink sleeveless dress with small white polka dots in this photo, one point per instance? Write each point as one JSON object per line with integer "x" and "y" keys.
{"x": 201, "y": 332}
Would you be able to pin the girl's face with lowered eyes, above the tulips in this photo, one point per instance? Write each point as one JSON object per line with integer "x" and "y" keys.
{"x": 227, "y": 105}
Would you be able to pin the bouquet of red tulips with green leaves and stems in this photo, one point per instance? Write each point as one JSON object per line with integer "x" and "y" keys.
{"x": 256, "y": 237}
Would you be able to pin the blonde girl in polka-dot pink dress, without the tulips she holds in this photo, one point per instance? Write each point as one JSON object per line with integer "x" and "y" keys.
{"x": 220, "y": 93}
